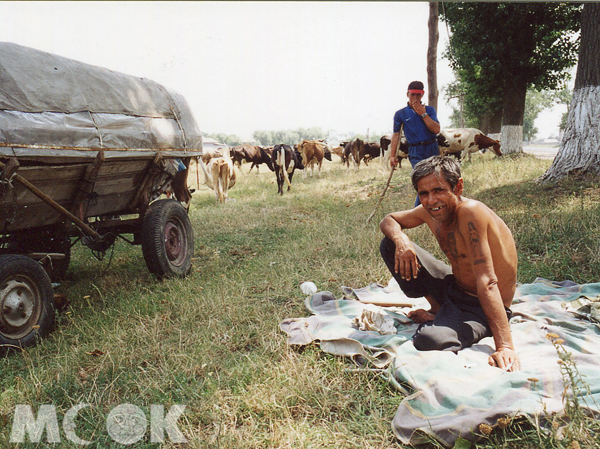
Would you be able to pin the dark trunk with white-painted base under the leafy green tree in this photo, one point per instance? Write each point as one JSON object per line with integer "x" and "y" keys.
{"x": 513, "y": 108}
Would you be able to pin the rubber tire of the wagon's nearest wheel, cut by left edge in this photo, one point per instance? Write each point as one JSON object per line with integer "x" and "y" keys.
{"x": 25, "y": 270}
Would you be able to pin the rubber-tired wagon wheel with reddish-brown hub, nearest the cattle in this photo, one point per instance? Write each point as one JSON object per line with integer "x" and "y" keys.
{"x": 167, "y": 239}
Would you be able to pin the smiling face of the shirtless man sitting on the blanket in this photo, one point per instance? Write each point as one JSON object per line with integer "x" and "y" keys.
{"x": 438, "y": 198}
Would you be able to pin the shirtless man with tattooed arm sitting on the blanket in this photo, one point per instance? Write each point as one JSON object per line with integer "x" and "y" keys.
{"x": 469, "y": 300}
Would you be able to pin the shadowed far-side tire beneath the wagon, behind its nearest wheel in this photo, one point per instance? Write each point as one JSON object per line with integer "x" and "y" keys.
{"x": 50, "y": 241}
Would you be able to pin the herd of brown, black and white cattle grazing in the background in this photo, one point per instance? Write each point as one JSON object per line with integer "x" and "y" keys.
{"x": 218, "y": 165}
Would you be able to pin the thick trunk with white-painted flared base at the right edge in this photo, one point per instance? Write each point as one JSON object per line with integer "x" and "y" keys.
{"x": 579, "y": 150}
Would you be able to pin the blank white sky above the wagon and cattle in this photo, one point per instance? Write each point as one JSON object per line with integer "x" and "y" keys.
{"x": 246, "y": 66}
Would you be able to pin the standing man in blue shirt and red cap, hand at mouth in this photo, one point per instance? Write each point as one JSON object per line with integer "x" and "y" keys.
{"x": 421, "y": 127}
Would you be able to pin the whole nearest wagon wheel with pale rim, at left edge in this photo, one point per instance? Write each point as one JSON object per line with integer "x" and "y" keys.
{"x": 26, "y": 302}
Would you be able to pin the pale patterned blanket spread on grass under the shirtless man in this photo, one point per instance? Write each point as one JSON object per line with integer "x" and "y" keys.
{"x": 555, "y": 326}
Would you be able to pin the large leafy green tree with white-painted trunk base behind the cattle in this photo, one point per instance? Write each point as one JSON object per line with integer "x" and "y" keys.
{"x": 499, "y": 50}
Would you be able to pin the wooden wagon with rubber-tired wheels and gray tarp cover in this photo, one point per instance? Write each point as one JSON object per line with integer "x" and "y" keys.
{"x": 89, "y": 155}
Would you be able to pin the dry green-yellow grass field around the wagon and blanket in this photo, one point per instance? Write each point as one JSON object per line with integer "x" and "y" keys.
{"x": 211, "y": 341}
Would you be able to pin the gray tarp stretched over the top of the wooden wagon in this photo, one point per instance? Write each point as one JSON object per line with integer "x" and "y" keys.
{"x": 49, "y": 102}
